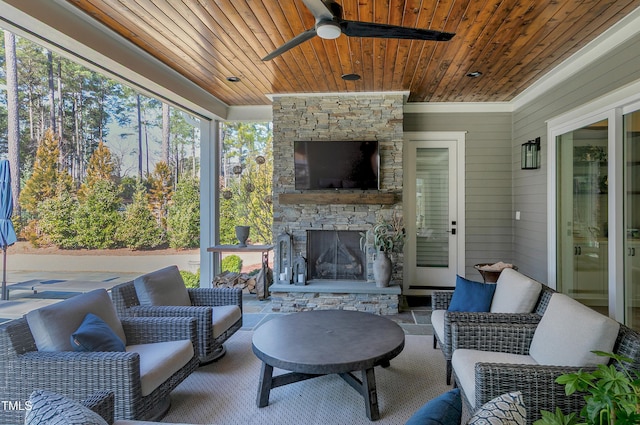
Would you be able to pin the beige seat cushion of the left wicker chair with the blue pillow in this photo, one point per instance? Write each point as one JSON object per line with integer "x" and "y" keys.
{"x": 160, "y": 360}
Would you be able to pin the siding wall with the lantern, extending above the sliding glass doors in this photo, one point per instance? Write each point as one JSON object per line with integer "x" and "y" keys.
{"x": 616, "y": 69}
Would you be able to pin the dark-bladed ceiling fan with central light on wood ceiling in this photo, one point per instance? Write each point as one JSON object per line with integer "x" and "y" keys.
{"x": 330, "y": 25}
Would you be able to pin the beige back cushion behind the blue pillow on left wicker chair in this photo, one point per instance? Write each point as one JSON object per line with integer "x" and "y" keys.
{"x": 53, "y": 325}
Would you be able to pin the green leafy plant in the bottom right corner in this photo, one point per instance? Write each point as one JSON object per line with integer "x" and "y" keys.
{"x": 612, "y": 395}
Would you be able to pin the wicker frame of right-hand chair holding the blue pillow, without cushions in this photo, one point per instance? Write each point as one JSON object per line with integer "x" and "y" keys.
{"x": 441, "y": 300}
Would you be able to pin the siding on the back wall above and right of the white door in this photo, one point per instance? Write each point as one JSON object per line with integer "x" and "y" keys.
{"x": 488, "y": 200}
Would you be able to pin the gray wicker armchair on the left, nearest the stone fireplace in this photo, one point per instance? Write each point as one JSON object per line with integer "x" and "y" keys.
{"x": 216, "y": 310}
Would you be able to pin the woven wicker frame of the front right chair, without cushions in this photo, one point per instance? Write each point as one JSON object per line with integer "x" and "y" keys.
{"x": 537, "y": 382}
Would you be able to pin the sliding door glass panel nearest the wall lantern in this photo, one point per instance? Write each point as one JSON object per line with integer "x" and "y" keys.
{"x": 582, "y": 215}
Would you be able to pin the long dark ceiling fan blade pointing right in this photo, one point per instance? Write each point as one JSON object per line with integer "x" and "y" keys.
{"x": 370, "y": 29}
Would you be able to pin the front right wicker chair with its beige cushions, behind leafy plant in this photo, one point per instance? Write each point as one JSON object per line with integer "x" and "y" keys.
{"x": 492, "y": 359}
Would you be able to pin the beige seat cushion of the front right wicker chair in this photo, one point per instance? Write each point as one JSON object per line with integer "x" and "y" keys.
{"x": 464, "y": 363}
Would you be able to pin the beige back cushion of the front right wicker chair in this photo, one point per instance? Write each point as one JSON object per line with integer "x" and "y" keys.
{"x": 569, "y": 331}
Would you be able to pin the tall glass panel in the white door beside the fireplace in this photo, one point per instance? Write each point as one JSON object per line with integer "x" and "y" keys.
{"x": 432, "y": 207}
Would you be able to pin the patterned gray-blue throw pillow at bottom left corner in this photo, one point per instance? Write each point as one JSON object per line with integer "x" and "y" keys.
{"x": 48, "y": 408}
